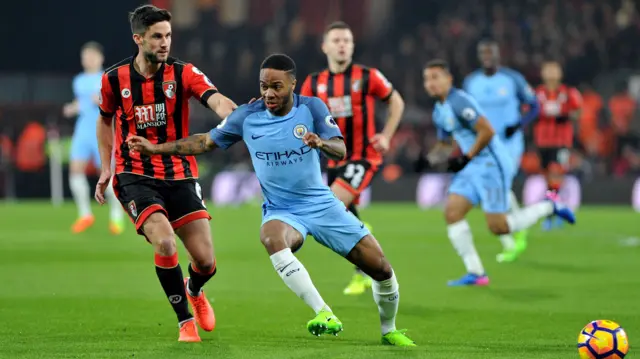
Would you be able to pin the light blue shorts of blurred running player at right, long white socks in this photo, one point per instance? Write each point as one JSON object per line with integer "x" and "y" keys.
{"x": 488, "y": 187}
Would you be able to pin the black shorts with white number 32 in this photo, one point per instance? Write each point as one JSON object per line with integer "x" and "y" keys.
{"x": 354, "y": 176}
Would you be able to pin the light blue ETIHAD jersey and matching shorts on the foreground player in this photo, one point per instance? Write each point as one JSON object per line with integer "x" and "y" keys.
{"x": 289, "y": 171}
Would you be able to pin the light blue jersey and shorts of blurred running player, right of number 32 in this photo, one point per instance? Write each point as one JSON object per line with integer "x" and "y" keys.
{"x": 487, "y": 178}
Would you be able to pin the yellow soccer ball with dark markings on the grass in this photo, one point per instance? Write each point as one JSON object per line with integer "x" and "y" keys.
{"x": 603, "y": 339}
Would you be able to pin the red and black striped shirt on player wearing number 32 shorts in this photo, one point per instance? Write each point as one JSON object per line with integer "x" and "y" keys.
{"x": 351, "y": 96}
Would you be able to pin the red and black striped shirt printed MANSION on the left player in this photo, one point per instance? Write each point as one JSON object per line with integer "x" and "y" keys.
{"x": 156, "y": 108}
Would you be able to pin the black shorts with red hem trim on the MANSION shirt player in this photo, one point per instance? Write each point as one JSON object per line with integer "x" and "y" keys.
{"x": 180, "y": 200}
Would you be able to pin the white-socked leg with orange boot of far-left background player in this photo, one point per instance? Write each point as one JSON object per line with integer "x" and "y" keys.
{"x": 80, "y": 191}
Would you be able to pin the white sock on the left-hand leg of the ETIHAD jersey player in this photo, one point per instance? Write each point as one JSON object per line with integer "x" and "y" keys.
{"x": 296, "y": 277}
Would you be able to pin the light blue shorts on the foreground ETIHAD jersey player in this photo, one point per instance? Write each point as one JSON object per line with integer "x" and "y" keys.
{"x": 332, "y": 226}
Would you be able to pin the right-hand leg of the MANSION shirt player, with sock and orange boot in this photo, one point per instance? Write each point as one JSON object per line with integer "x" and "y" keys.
{"x": 196, "y": 236}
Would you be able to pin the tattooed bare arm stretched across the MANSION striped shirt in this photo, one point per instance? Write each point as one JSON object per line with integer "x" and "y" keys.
{"x": 192, "y": 145}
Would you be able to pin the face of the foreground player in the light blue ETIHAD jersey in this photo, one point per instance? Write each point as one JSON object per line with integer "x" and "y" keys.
{"x": 276, "y": 88}
